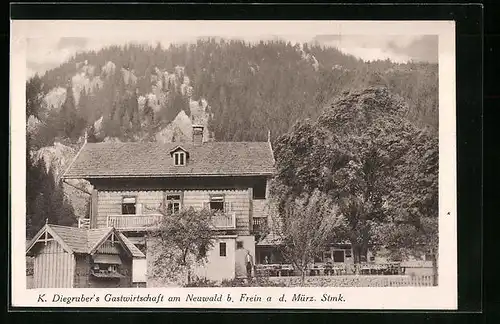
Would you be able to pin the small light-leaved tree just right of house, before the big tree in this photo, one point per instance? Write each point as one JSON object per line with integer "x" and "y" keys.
{"x": 303, "y": 226}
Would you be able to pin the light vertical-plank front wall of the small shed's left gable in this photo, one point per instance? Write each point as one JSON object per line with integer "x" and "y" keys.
{"x": 53, "y": 267}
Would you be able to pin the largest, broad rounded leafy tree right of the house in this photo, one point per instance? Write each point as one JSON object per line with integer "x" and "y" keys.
{"x": 358, "y": 152}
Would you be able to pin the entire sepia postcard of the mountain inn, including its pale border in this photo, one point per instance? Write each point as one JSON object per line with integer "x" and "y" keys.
{"x": 236, "y": 155}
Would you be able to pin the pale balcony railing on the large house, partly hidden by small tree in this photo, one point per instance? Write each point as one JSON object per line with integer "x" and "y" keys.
{"x": 221, "y": 221}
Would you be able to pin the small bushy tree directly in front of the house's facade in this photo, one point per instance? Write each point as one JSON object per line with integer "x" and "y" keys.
{"x": 181, "y": 240}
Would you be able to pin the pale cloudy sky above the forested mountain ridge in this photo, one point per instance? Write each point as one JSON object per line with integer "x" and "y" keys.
{"x": 45, "y": 53}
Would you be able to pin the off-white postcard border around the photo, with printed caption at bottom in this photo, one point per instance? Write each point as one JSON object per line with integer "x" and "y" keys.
{"x": 442, "y": 297}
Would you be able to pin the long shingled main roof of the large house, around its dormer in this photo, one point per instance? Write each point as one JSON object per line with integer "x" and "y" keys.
{"x": 123, "y": 160}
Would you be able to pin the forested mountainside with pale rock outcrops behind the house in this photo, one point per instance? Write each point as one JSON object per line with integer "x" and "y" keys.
{"x": 238, "y": 90}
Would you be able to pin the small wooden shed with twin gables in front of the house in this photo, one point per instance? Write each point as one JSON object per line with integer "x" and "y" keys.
{"x": 71, "y": 257}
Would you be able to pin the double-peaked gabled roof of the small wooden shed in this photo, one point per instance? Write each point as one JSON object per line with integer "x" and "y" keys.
{"x": 81, "y": 240}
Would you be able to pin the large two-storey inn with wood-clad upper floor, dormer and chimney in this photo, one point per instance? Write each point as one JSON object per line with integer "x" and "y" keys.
{"x": 133, "y": 181}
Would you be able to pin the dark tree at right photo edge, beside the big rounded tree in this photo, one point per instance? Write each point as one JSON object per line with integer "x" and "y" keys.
{"x": 412, "y": 225}
